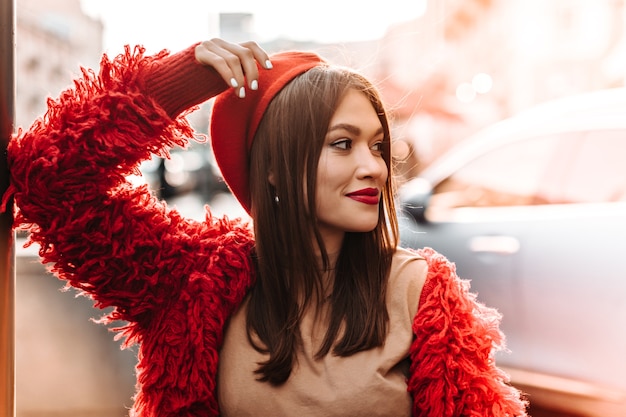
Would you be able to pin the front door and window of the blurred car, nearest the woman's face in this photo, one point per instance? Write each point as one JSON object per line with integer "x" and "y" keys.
{"x": 479, "y": 217}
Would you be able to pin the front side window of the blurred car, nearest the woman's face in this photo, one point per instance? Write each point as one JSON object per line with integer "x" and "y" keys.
{"x": 510, "y": 175}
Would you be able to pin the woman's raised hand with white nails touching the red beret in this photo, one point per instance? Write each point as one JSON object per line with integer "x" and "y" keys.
{"x": 236, "y": 63}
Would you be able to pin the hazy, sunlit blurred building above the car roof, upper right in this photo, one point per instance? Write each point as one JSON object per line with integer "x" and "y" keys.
{"x": 465, "y": 64}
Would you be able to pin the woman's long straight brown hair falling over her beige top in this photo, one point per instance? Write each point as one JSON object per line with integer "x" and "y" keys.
{"x": 288, "y": 145}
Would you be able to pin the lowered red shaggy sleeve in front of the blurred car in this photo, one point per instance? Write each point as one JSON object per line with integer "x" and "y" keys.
{"x": 453, "y": 371}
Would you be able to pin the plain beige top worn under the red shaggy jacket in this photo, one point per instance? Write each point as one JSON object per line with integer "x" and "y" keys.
{"x": 371, "y": 383}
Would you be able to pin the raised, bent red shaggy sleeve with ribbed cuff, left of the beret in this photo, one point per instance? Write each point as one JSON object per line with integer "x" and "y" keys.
{"x": 69, "y": 179}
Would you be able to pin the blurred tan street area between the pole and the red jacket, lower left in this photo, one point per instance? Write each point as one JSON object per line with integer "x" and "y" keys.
{"x": 66, "y": 365}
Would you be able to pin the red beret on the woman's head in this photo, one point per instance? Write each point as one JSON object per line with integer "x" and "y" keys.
{"x": 234, "y": 120}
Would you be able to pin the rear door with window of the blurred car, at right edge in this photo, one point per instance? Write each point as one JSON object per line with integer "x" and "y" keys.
{"x": 573, "y": 274}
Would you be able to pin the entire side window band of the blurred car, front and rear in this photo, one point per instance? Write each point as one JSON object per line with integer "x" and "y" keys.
{"x": 574, "y": 167}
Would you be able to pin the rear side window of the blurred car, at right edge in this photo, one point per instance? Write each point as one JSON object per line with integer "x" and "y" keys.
{"x": 596, "y": 173}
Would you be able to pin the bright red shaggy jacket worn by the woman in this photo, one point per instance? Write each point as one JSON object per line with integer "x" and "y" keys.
{"x": 176, "y": 281}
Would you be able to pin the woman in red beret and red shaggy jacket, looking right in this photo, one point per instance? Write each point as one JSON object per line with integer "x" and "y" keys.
{"x": 315, "y": 312}
